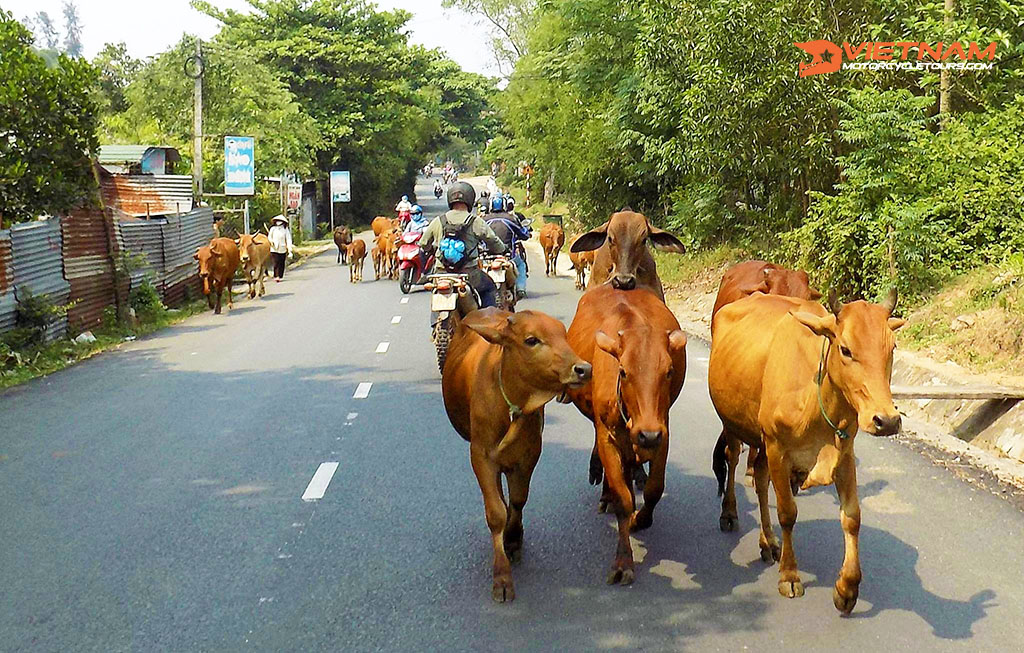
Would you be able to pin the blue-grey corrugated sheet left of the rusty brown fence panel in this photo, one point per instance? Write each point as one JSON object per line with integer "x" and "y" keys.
{"x": 38, "y": 263}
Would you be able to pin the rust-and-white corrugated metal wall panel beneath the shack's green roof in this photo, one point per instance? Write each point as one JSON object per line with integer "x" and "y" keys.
{"x": 142, "y": 196}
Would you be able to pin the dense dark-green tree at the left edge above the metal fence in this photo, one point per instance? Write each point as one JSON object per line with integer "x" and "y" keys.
{"x": 48, "y": 129}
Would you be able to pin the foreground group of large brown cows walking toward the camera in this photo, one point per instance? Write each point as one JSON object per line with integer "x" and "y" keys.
{"x": 791, "y": 379}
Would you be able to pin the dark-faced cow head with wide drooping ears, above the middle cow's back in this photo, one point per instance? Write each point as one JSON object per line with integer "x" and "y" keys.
{"x": 627, "y": 235}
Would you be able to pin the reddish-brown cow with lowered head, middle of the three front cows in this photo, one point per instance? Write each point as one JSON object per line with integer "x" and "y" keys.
{"x": 639, "y": 358}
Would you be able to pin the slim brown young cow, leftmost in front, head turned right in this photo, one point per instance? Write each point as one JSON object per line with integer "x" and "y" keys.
{"x": 519, "y": 361}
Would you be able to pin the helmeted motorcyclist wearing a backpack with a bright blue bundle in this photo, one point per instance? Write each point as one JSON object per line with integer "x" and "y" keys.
{"x": 473, "y": 232}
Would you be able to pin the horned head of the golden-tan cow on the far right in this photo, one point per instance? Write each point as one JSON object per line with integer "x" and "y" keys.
{"x": 861, "y": 358}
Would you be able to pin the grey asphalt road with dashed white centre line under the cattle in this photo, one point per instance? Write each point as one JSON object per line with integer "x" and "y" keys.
{"x": 151, "y": 501}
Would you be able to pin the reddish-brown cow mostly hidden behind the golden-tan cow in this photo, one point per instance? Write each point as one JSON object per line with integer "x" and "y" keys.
{"x": 746, "y": 279}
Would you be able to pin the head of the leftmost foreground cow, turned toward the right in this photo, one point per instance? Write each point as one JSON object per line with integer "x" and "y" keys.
{"x": 535, "y": 351}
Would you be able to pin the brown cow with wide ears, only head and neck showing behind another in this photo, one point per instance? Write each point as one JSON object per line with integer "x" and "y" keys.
{"x": 623, "y": 256}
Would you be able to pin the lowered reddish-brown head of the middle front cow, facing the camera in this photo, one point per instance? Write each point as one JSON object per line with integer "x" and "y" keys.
{"x": 648, "y": 371}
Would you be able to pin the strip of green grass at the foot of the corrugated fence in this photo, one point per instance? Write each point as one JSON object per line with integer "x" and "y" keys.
{"x": 21, "y": 366}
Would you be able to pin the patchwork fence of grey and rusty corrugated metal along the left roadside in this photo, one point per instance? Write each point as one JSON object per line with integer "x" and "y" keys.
{"x": 73, "y": 258}
